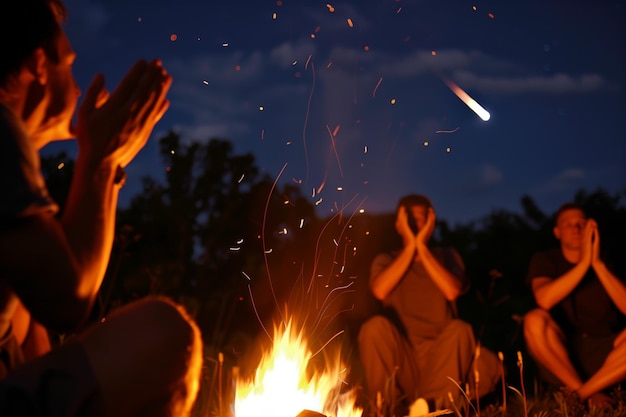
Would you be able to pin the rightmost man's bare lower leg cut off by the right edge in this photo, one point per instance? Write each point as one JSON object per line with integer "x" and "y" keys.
{"x": 613, "y": 370}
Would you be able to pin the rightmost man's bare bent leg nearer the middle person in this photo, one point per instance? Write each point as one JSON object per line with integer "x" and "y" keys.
{"x": 546, "y": 344}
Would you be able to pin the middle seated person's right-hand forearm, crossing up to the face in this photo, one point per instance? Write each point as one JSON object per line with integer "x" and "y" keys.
{"x": 451, "y": 285}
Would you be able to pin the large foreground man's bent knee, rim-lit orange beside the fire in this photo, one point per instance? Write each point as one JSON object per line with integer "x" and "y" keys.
{"x": 147, "y": 358}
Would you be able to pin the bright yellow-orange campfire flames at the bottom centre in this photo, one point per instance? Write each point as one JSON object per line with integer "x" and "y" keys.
{"x": 282, "y": 387}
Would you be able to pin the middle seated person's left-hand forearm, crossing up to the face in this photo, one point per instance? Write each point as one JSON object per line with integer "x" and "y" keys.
{"x": 383, "y": 282}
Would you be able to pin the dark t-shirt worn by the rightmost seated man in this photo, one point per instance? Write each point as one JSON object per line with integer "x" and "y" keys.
{"x": 588, "y": 309}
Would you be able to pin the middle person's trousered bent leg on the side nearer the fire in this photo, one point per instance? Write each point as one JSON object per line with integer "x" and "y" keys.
{"x": 384, "y": 352}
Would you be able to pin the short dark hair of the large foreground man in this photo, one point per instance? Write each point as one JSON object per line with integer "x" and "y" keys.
{"x": 28, "y": 25}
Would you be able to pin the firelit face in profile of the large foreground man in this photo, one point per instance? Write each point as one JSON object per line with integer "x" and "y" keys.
{"x": 60, "y": 95}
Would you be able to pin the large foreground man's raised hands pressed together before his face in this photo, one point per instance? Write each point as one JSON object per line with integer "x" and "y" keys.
{"x": 116, "y": 126}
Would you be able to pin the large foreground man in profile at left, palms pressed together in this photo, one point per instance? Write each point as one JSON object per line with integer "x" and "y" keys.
{"x": 146, "y": 357}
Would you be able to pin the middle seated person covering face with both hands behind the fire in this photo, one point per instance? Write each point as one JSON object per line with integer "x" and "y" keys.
{"x": 418, "y": 341}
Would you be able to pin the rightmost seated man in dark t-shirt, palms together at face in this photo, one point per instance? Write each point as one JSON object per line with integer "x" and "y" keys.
{"x": 577, "y": 335}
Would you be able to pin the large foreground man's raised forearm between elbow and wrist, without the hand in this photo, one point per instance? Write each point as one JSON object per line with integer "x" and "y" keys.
{"x": 89, "y": 221}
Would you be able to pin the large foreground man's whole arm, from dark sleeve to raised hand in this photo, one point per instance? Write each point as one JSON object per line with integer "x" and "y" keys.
{"x": 56, "y": 267}
